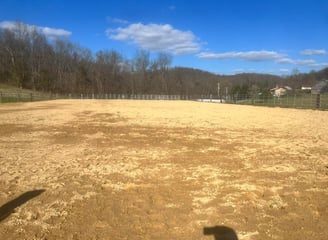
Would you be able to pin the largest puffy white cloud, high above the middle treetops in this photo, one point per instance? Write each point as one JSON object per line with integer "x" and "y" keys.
{"x": 157, "y": 37}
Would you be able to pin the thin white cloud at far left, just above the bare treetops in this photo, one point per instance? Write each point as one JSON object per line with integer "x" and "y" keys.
{"x": 49, "y": 32}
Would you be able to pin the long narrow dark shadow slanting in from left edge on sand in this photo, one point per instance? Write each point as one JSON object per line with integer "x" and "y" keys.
{"x": 9, "y": 207}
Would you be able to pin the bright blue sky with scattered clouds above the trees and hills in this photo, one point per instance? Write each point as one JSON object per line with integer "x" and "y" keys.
{"x": 220, "y": 36}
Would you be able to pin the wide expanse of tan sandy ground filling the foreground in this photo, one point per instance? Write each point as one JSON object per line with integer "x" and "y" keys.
{"x": 92, "y": 169}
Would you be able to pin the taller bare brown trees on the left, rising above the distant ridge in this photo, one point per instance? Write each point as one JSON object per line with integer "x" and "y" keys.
{"x": 30, "y": 60}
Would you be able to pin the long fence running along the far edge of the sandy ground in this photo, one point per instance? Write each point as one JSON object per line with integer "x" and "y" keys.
{"x": 307, "y": 101}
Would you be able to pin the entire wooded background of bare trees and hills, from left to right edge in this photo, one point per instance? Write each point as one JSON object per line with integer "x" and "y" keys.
{"x": 28, "y": 59}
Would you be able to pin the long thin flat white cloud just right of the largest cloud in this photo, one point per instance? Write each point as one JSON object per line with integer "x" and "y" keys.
{"x": 247, "y": 56}
